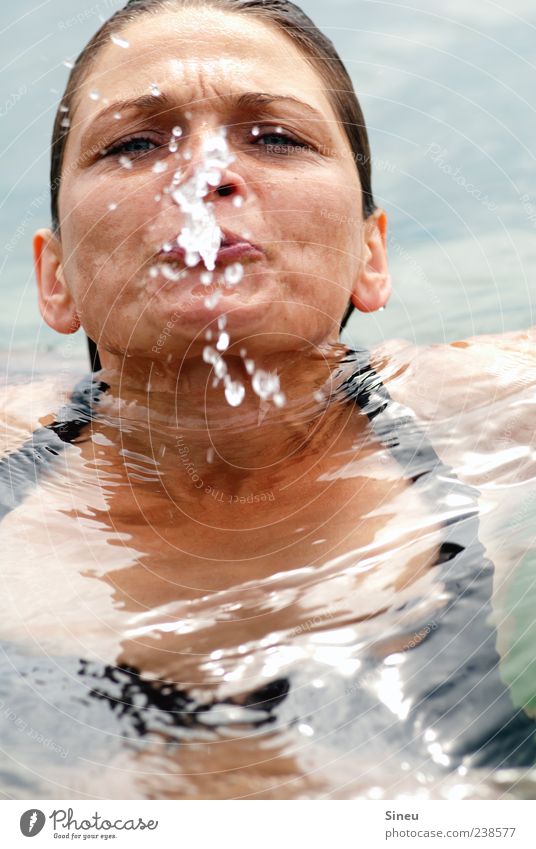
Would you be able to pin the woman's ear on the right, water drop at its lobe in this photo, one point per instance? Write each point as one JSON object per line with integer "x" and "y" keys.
{"x": 372, "y": 287}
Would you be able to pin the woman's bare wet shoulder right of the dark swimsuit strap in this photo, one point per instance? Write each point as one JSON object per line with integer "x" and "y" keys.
{"x": 443, "y": 380}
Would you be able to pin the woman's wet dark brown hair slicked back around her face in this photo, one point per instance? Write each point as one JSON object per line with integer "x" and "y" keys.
{"x": 287, "y": 17}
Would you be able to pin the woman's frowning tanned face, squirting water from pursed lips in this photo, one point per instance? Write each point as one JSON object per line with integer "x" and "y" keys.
{"x": 301, "y": 199}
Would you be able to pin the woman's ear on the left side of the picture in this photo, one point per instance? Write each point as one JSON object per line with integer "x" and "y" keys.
{"x": 55, "y": 302}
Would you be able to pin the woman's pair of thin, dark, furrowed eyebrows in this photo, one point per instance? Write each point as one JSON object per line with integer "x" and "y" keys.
{"x": 249, "y": 101}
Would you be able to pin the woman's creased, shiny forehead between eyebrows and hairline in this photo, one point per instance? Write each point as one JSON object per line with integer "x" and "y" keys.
{"x": 202, "y": 52}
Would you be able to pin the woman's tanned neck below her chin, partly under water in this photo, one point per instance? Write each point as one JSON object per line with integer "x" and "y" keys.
{"x": 185, "y": 427}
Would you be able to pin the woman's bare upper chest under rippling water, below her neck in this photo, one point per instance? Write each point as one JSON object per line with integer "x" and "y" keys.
{"x": 83, "y": 559}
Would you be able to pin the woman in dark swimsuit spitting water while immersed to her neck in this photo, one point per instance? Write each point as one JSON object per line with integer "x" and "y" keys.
{"x": 267, "y": 554}
